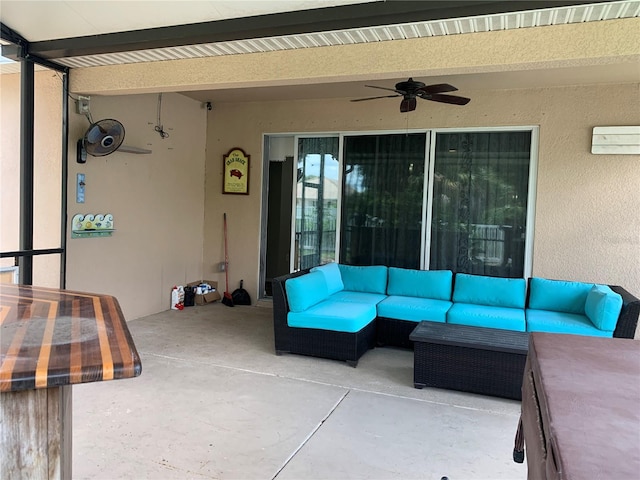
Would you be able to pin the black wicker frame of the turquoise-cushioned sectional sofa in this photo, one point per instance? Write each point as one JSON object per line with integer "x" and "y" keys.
{"x": 349, "y": 347}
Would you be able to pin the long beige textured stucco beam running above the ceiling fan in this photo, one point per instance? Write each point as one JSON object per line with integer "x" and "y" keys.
{"x": 594, "y": 43}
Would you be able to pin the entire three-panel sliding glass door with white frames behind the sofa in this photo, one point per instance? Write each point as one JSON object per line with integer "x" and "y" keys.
{"x": 459, "y": 200}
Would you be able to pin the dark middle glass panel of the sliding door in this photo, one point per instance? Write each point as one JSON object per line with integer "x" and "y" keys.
{"x": 382, "y": 199}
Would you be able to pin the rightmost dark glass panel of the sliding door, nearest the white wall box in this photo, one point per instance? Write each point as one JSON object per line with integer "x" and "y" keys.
{"x": 479, "y": 202}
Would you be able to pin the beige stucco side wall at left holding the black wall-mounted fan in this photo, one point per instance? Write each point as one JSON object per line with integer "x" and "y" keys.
{"x": 157, "y": 201}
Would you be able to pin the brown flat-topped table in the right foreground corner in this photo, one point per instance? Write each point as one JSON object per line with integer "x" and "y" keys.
{"x": 580, "y": 408}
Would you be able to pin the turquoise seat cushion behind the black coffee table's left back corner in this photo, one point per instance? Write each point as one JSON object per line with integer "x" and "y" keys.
{"x": 414, "y": 309}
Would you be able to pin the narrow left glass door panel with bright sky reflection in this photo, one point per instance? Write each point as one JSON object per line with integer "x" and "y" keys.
{"x": 316, "y": 202}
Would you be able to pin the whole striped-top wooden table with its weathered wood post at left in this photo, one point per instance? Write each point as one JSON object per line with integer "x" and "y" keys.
{"x": 50, "y": 340}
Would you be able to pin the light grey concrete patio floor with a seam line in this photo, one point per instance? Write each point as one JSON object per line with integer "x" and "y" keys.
{"x": 215, "y": 402}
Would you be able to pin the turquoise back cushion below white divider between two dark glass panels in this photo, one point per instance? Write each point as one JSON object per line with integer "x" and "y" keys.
{"x": 434, "y": 284}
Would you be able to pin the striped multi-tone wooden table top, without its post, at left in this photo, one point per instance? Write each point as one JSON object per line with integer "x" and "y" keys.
{"x": 51, "y": 337}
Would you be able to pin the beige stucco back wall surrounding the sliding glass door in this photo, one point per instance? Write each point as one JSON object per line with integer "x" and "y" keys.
{"x": 586, "y": 227}
